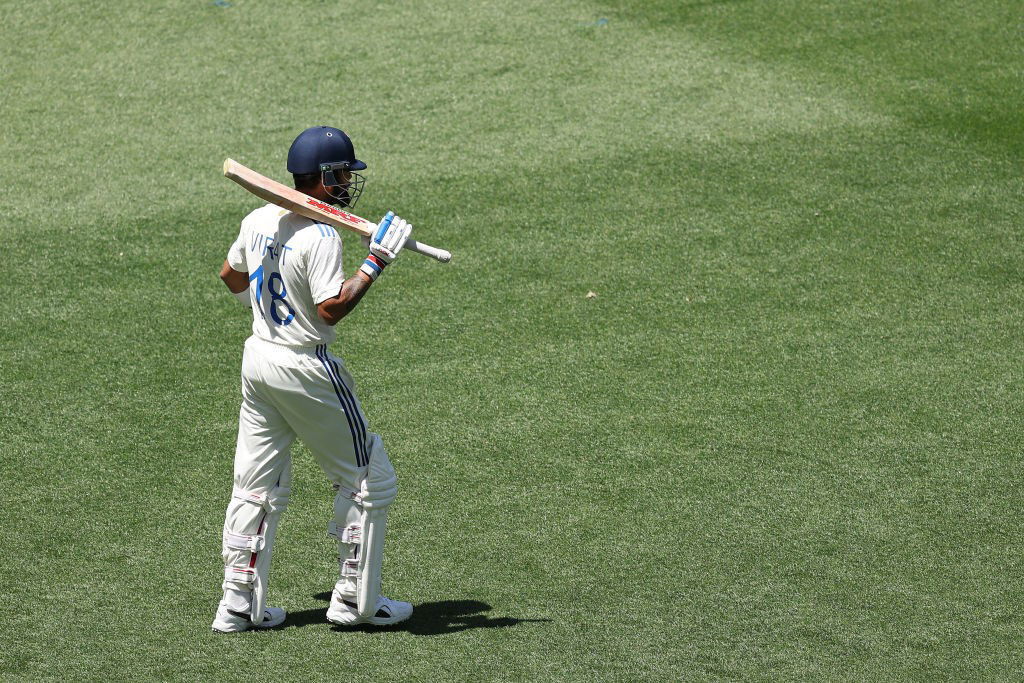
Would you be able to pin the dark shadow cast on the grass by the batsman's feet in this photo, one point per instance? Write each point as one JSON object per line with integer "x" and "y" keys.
{"x": 430, "y": 619}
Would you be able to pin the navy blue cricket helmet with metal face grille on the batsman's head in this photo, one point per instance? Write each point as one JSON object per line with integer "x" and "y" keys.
{"x": 324, "y": 150}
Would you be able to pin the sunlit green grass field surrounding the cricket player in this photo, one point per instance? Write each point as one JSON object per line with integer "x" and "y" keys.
{"x": 783, "y": 442}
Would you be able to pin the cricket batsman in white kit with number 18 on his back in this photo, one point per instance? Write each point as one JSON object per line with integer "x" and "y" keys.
{"x": 288, "y": 270}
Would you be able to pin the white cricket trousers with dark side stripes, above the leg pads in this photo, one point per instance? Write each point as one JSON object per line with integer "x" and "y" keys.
{"x": 297, "y": 392}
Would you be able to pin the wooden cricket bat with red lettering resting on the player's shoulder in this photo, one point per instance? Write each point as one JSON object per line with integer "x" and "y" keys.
{"x": 303, "y": 204}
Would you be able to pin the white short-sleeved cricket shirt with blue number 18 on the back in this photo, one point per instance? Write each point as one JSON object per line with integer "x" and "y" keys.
{"x": 293, "y": 264}
